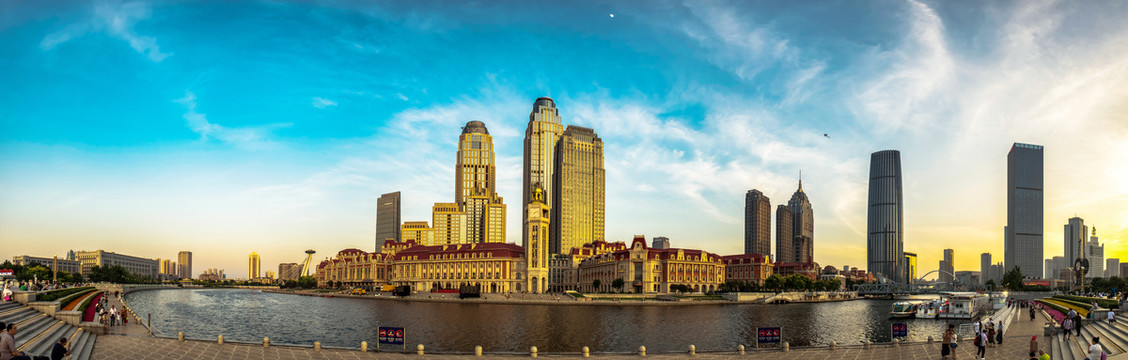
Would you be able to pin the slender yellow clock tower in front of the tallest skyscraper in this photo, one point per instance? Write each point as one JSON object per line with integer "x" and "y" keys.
{"x": 537, "y": 217}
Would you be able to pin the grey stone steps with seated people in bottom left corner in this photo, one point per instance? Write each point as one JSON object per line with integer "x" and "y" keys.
{"x": 39, "y": 332}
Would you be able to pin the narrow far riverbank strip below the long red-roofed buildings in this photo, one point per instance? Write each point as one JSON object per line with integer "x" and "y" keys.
{"x": 602, "y": 300}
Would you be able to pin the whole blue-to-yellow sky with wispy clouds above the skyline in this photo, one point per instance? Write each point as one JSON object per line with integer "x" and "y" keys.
{"x": 230, "y": 128}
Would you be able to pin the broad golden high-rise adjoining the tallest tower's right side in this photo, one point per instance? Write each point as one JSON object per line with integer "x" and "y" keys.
{"x": 579, "y": 204}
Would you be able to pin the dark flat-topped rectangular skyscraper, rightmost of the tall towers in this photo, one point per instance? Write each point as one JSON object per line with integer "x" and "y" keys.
{"x": 1024, "y": 240}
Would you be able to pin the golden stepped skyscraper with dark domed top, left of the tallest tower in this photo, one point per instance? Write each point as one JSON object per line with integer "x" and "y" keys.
{"x": 475, "y": 194}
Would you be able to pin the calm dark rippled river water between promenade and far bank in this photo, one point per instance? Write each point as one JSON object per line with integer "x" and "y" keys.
{"x": 250, "y": 315}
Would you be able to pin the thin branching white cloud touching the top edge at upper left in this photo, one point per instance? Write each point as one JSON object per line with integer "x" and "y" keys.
{"x": 117, "y": 21}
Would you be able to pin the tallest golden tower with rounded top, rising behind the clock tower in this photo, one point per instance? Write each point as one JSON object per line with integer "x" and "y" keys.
{"x": 542, "y": 137}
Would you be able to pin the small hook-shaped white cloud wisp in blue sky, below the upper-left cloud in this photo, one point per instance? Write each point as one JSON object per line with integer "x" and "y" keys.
{"x": 251, "y": 138}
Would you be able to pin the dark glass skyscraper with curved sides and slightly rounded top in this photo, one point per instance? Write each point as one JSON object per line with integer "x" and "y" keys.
{"x": 886, "y": 243}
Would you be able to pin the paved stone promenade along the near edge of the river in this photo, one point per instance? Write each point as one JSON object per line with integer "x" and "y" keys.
{"x": 1016, "y": 346}
